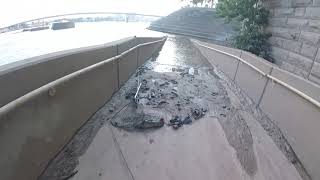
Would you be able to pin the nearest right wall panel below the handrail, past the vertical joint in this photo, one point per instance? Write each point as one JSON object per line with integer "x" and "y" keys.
{"x": 299, "y": 121}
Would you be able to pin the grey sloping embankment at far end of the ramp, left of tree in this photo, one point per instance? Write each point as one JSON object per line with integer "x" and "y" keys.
{"x": 197, "y": 22}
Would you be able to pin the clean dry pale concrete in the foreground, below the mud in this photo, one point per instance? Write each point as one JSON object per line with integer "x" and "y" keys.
{"x": 200, "y": 151}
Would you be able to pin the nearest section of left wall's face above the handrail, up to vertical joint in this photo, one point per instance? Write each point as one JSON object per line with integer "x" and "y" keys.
{"x": 21, "y": 81}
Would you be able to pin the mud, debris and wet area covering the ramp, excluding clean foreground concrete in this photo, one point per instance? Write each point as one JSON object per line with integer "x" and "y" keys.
{"x": 178, "y": 88}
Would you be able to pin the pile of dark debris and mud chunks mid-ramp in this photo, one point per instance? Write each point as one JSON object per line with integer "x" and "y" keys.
{"x": 166, "y": 94}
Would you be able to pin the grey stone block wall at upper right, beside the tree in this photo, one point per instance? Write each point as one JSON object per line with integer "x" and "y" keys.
{"x": 295, "y": 28}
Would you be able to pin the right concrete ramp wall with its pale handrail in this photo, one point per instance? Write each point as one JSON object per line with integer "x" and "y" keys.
{"x": 291, "y": 101}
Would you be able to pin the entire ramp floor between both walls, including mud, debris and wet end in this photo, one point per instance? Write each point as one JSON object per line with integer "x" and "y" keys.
{"x": 184, "y": 121}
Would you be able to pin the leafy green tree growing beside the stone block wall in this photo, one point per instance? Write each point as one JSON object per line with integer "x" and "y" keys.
{"x": 253, "y": 18}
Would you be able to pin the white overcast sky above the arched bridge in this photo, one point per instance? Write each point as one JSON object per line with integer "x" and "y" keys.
{"x": 14, "y": 11}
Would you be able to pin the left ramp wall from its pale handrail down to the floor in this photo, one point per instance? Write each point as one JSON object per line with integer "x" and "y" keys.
{"x": 34, "y": 127}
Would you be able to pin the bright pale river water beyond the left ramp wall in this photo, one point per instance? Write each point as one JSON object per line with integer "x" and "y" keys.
{"x": 17, "y": 46}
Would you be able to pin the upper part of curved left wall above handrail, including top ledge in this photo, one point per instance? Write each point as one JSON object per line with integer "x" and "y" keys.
{"x": 19, "y": 78}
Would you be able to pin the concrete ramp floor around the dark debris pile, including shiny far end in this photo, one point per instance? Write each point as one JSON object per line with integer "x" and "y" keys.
{"x": 213, "y": 147}
